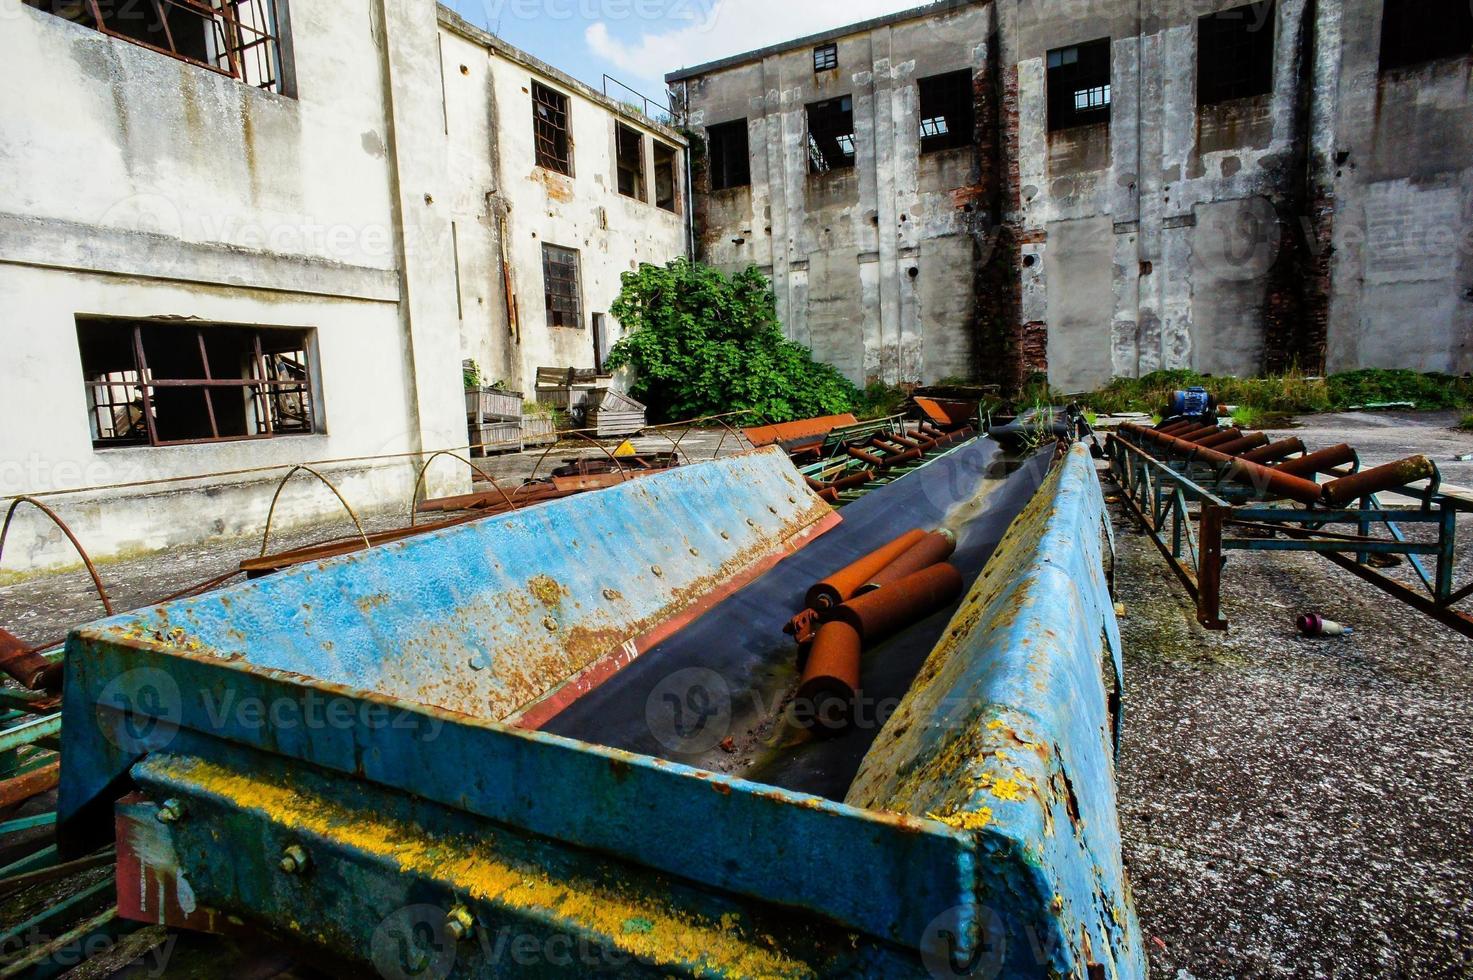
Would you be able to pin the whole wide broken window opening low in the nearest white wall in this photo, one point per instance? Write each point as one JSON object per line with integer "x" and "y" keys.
{"x": 170, "y": 384}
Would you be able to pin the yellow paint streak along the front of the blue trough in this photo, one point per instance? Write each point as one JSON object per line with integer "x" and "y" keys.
{"x": 474, "y": 867}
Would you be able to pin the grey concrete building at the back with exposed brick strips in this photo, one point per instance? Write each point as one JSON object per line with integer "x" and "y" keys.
{"x": 1148, "y": 185}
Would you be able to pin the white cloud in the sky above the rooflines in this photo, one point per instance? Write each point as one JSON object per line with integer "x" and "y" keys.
{"x": 721, "y": 29}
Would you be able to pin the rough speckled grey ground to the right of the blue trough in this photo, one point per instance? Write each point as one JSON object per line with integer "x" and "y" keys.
{"x": 1298, "y": 808}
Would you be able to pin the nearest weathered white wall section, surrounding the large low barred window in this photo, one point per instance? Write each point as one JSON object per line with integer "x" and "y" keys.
{"x": 135, "y": 185}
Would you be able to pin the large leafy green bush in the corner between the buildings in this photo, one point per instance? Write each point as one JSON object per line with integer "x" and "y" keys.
{"x": 703, "y": 346}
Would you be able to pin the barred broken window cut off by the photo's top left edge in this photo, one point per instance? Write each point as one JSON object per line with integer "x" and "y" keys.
{"x": 232, "y": 38}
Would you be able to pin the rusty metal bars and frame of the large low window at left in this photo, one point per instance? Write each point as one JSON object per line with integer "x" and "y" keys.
{"x": 279, "y": 387}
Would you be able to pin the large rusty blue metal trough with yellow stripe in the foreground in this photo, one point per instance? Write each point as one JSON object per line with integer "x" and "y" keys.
{"x": 344, "y": 754}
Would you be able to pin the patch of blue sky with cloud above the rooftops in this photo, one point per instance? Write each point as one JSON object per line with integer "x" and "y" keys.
{"x": 639, "y": 42}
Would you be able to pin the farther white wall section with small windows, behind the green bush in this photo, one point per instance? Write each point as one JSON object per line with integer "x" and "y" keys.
{"x": 488, "y": 97}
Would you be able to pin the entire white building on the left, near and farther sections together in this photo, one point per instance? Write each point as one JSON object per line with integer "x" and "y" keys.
{"x": 225, "y": 259}
